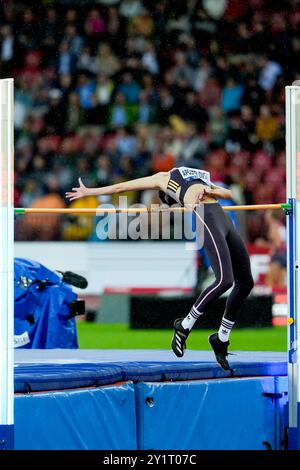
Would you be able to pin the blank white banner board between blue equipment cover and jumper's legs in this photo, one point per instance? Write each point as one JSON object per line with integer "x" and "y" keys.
{"x": 118, "y": 264}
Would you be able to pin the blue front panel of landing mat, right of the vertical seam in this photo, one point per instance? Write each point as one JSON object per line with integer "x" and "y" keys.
{"x": 209, "y": 415}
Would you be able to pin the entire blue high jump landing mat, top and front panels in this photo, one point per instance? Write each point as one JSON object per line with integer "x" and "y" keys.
{"x": 214, "y": 411}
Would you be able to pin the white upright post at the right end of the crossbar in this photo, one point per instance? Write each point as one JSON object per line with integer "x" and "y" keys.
{"x": 293, "y": 273}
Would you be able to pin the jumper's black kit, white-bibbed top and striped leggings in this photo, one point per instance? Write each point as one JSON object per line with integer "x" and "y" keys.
{"x": 226, "y": 250}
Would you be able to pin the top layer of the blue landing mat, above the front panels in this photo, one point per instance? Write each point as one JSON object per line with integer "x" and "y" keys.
{"x": 59, "y": 369}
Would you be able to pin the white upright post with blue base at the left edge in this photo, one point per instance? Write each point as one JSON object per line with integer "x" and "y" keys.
{"x": 6, "y": 263}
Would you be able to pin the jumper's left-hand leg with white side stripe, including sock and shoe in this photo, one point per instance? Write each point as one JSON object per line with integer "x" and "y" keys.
{"x": 219, "y": 256}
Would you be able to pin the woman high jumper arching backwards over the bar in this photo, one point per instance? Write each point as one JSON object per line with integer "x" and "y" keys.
{"x": 226, "y": 251}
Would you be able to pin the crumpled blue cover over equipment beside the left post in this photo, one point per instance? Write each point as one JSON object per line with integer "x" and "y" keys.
{"x": 42, "y": 306}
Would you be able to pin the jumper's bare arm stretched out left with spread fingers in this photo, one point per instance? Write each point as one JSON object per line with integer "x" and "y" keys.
{"x": 157, "y": 181}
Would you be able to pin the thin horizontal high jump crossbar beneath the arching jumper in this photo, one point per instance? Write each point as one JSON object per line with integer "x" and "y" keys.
{"x": 118, "y": 210}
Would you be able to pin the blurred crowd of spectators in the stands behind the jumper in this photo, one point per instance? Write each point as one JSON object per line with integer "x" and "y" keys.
{"x": 116, "y": 89}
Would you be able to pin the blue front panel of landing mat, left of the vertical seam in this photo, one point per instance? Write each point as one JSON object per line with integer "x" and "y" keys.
{"x": 103, "y": 418}
